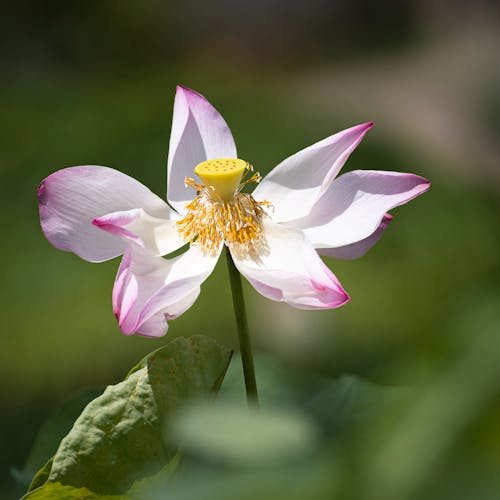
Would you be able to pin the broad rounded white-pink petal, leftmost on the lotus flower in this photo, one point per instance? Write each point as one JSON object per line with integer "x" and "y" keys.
{"x": 70, "y": 199}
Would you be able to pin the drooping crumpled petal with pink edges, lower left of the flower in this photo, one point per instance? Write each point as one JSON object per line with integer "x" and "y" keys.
{"x": 150, "y": 290}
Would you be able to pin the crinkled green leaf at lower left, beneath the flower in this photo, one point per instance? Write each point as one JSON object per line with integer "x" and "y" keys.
{"x": 118, "y": 439}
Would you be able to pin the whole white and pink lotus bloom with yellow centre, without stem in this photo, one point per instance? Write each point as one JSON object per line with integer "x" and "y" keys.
{"x": 299, "y": 210}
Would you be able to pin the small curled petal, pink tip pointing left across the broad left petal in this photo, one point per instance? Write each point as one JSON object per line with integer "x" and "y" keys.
{"x": 157, "y": 236}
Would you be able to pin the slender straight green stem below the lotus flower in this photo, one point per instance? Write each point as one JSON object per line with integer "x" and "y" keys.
{"x": 243, "y": 334}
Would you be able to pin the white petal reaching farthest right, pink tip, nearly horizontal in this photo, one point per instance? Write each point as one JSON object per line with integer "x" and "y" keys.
{"x": 355, "y": 204}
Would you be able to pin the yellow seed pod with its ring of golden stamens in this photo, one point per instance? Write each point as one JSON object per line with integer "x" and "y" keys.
{"x": 221, "y": 213}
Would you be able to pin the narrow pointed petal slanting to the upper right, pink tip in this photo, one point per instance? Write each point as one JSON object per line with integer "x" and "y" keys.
{"x": 294, "y": 186}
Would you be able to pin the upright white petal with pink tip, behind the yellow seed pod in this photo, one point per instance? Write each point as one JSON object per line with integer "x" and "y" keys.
{"x": 198, "y": 133}
